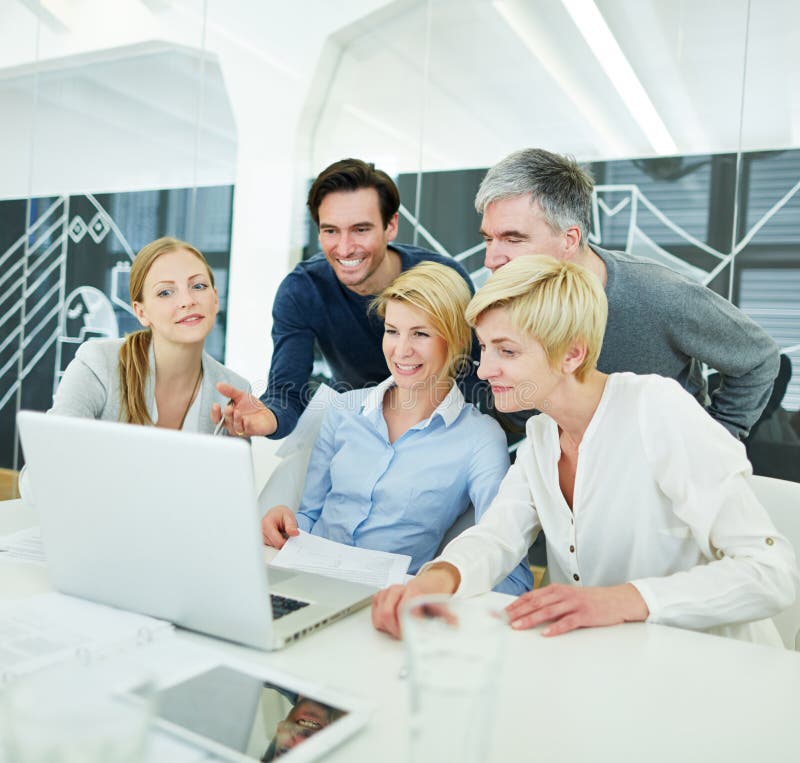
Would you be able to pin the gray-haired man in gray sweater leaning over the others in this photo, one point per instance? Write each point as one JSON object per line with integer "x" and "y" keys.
{"x": 538, "y": 202}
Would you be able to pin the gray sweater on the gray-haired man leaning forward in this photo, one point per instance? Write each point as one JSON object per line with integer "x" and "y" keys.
{"x": 660, "y": 322}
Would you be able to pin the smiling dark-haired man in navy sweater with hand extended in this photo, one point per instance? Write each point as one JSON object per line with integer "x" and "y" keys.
{"x": 326, "y": 298}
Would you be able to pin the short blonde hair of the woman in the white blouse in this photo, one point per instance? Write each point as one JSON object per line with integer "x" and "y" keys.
{"x": 556, "y": 302}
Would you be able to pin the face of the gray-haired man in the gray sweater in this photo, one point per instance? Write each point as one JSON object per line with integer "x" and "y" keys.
{"x": 514, "y": 226}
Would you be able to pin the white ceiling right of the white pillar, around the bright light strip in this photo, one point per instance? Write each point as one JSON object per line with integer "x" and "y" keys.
{"x": 475, "y": 79}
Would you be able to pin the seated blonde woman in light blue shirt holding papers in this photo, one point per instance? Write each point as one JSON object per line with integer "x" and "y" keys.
{"x": 395, "y": 473}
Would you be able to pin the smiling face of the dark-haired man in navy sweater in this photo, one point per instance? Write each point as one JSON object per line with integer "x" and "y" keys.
{"x": 354, "y": 239}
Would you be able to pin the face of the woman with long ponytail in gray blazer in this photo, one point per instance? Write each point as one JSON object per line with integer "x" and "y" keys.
{"x": 178, "y": 302}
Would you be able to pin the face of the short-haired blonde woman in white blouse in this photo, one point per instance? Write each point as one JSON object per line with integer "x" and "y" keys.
{"x": 515, "y": 365}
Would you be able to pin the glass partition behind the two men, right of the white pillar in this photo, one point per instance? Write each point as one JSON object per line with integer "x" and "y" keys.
{"x": 684, "y": 112}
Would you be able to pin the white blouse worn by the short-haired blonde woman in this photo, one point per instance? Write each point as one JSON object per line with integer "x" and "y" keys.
{"x": 661, "y": 500}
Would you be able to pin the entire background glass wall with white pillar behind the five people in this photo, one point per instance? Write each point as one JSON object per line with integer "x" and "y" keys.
{"x": 206, "y": 120}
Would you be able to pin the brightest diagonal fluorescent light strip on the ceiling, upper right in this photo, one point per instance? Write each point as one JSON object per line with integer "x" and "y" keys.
{"x": 606, "y": 49}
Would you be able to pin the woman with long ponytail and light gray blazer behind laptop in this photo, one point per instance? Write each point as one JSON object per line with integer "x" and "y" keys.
{"x": 160, "y": 375}
